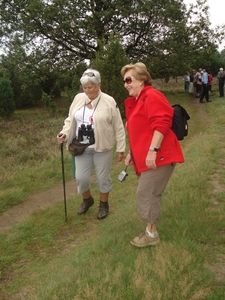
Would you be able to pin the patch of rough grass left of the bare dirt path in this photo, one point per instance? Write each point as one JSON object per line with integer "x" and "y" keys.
{"x": 29, "y": 155}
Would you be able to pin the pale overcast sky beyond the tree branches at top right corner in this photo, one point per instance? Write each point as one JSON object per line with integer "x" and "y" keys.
{"x": 217, "y": 14}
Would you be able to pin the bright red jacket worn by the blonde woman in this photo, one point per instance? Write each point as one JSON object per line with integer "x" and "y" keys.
{"x": 151, "y": 111}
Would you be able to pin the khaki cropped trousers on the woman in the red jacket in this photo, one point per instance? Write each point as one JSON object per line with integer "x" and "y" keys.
{"x": 149, "y": 192}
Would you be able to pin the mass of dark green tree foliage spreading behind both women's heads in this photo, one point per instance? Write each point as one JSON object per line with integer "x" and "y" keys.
{"x": 46, "y": 44}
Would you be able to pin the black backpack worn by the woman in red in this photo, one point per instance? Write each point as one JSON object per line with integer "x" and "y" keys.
{"x": 180, "y": 124}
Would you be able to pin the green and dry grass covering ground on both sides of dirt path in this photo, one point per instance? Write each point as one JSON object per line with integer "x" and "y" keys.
{"x": 44, "y": 257}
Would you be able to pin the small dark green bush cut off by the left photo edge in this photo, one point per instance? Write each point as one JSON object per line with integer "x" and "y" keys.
{"x": 7, "y": 104}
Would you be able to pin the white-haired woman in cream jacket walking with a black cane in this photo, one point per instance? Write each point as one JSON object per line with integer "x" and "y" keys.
{"x": 98, "y": 111}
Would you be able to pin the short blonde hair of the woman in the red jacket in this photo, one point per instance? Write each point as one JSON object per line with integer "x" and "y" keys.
{"x": 140, "y": 72}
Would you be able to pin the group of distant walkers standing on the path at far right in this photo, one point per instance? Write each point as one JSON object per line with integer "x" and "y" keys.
{"x": 199, "y": 83}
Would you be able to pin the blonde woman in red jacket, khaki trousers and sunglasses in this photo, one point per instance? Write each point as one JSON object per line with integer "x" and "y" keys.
{"x": 154, "y": 148}
